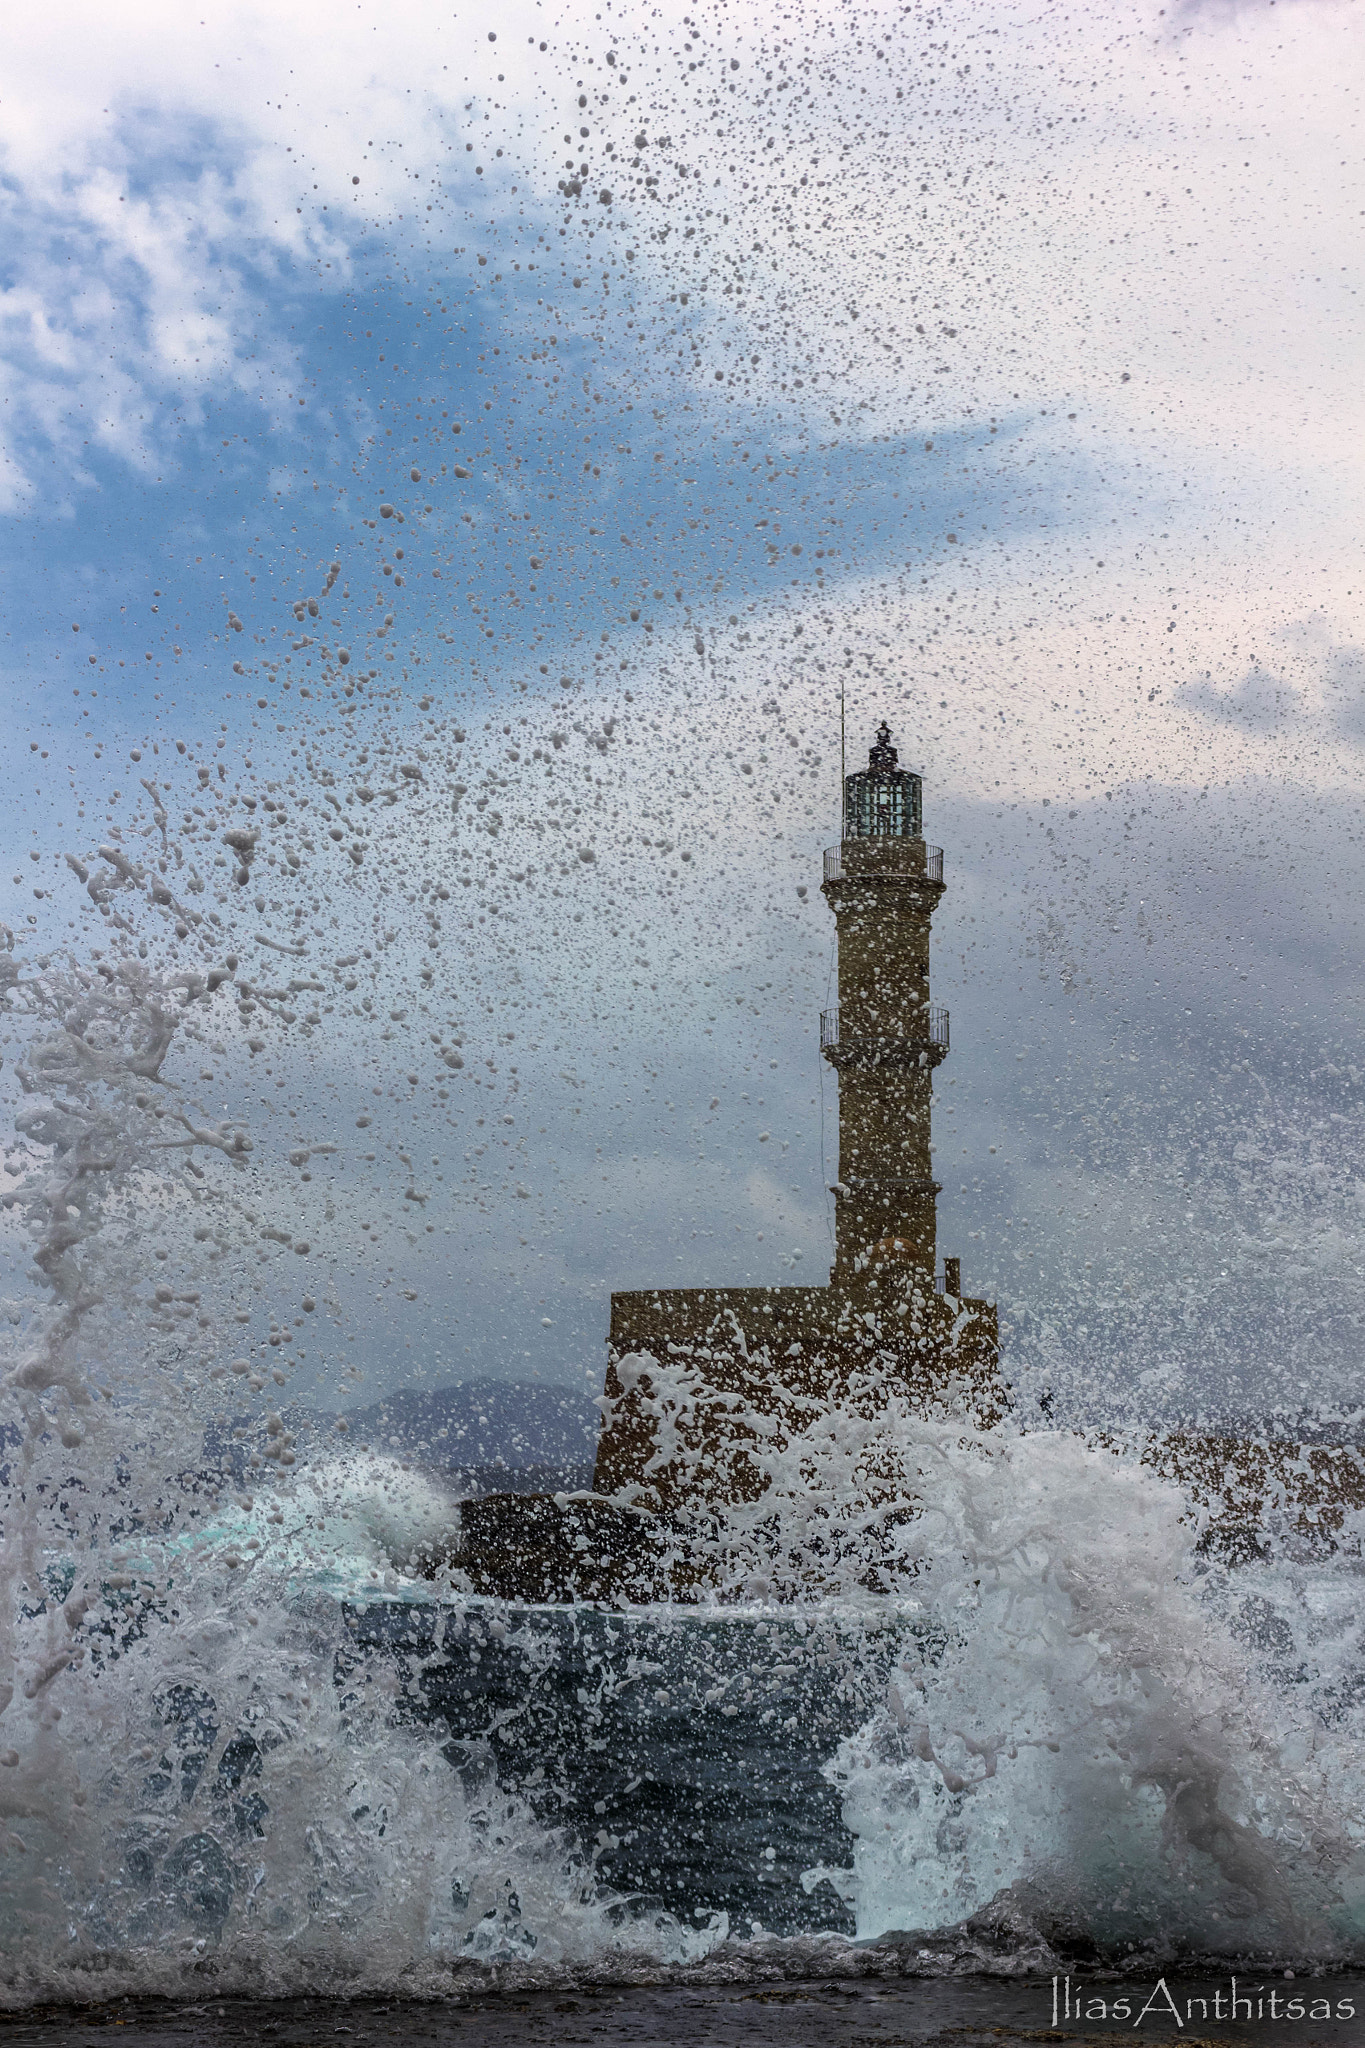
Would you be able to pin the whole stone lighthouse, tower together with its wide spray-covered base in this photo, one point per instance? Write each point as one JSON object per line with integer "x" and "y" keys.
{"x": 705, "y": 1383}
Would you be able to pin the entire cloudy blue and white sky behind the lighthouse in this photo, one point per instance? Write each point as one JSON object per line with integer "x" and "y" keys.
{"x": 490, "y": 464}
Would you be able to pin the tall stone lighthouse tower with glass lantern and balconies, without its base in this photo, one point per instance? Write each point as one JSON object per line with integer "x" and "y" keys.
{"x": 885, "y": 1039}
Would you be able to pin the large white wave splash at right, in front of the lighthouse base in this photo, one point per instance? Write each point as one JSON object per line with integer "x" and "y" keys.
{"x": 1096, "y": 1742}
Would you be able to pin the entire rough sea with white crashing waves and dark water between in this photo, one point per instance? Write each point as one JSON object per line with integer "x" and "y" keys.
{"x": 257, "y": 1748}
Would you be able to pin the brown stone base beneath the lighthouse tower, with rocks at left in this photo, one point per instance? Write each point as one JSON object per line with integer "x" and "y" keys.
{"x": 705, "y": 1392}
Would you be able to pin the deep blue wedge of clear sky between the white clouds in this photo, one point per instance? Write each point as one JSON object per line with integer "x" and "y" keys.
{"x": 728, "y": 503}
